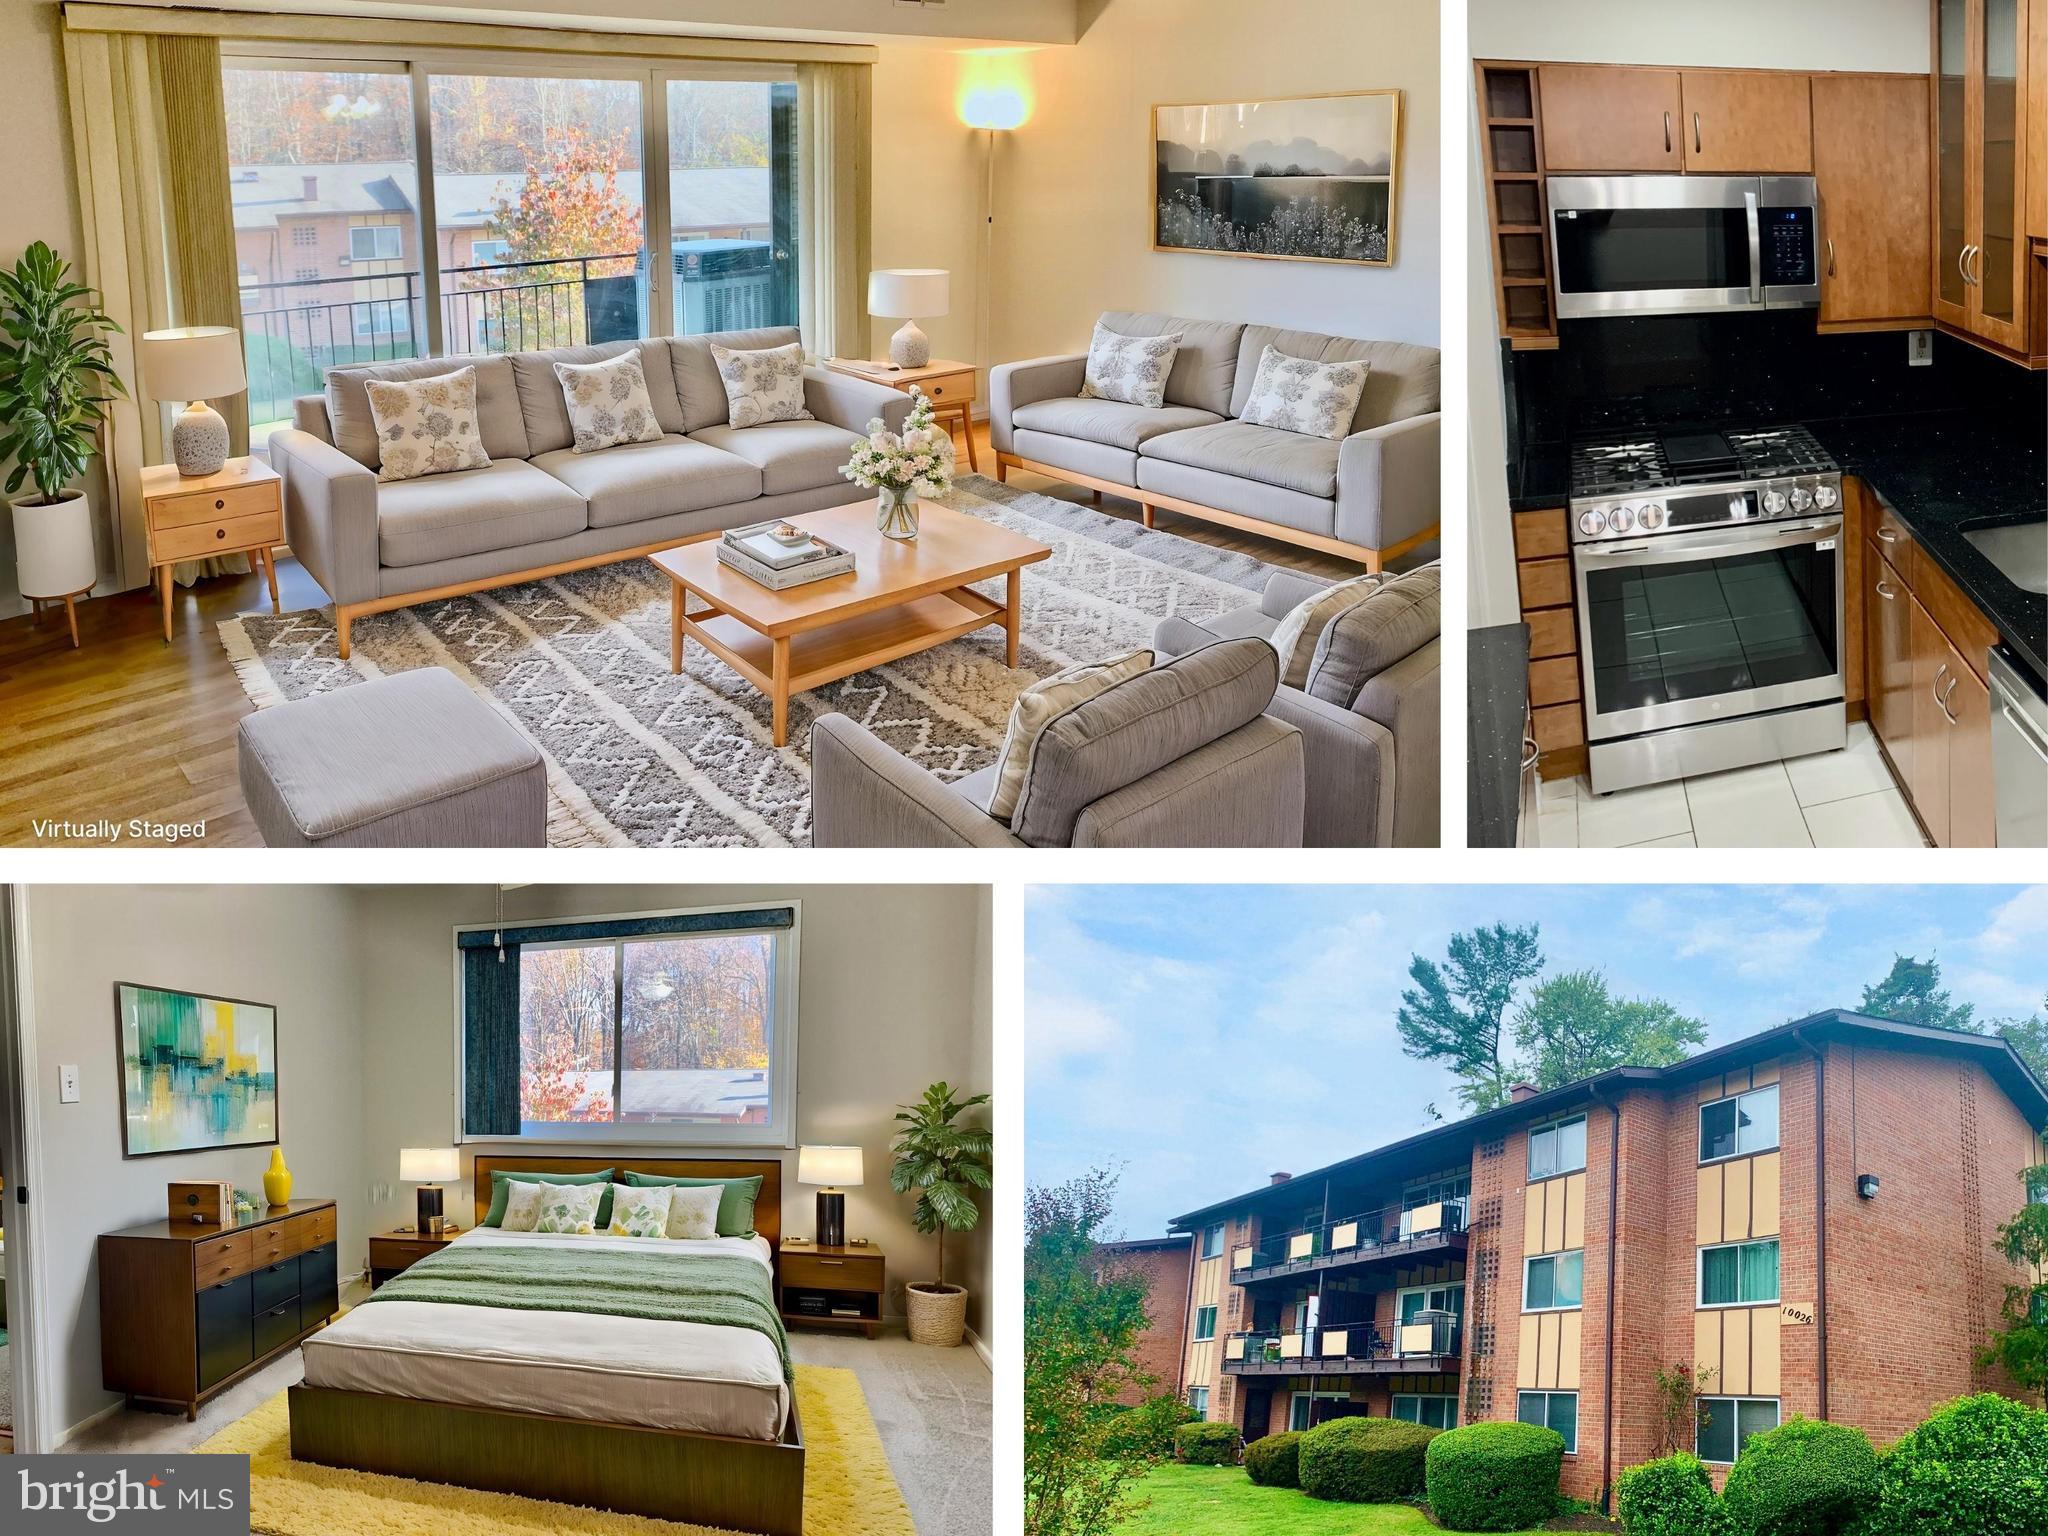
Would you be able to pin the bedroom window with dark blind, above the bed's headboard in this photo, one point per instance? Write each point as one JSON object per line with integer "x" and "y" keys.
{"x": 669, "y": 1027}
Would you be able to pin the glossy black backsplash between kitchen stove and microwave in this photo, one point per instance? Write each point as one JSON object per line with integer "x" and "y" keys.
{"x": 1734, "y": 370}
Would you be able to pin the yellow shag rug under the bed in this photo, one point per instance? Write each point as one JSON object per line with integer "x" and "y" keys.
{"x": 847, "y": 1484}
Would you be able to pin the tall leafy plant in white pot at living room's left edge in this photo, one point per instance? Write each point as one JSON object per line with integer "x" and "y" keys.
{"x": 56, "y": 380}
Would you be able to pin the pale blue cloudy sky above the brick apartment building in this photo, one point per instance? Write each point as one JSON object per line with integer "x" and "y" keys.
{"x": 1205, "y": 1037}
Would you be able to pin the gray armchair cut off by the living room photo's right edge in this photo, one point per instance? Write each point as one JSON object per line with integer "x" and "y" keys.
{"x": 1371, "y": 714}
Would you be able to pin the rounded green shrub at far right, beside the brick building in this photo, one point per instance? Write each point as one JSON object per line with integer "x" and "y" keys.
{"x": 1979, "y": 1467}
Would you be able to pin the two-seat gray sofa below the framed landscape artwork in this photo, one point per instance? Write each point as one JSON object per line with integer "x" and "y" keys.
{"x": 1369, "y": 497}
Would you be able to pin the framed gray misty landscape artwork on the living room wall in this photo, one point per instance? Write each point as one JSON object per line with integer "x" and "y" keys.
{"x": 1312, "y": 179}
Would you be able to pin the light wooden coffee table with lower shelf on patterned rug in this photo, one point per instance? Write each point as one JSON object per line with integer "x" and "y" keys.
{"x": 900, "y": 599}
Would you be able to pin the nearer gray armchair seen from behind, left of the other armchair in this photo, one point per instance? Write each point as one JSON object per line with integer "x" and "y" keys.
{"x": 1181, "y": 757}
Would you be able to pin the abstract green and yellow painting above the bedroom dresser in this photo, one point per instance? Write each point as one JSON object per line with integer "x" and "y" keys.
{"x": 196, "y": 1072}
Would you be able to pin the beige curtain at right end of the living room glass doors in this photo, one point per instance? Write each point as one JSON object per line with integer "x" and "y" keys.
{"x": 835, "y": 126}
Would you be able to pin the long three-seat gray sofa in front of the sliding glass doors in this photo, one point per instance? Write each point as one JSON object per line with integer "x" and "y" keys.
{"x": 540, "y": 507}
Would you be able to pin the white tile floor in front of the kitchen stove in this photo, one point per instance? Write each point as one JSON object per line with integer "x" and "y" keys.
{"x": 1836, "y": 800}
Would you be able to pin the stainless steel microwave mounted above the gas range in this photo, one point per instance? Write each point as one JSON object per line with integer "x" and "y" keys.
{"x": 1684, "y": 245}
